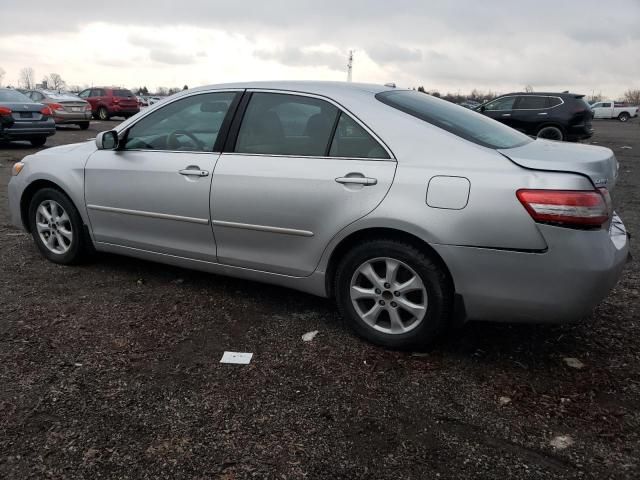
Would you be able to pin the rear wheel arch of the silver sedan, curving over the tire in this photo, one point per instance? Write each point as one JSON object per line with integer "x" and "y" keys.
{"x": 379, "y": 233}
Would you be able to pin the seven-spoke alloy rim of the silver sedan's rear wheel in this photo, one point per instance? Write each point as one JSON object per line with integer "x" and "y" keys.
{"x": 388, "y": 295}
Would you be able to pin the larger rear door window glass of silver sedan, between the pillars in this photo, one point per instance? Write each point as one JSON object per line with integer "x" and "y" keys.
{"x": 283, "y": 124}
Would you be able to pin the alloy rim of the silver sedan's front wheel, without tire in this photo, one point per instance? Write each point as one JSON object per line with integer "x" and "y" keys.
{"x": 54, "y": 227}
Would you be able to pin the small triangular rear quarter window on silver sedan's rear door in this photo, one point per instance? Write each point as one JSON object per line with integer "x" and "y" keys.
{"x": 353, "y": 141}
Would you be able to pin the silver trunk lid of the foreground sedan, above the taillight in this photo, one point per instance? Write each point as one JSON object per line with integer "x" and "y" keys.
{"x": 598, "y": 163}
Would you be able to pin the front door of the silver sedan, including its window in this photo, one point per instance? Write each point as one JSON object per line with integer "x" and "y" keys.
{"x": 152, "y": 193}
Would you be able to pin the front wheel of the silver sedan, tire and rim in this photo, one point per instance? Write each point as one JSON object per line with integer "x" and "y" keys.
{"x": 69, "y": 245}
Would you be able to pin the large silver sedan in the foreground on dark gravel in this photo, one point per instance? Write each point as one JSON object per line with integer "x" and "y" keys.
{"x": 413, "y": 213}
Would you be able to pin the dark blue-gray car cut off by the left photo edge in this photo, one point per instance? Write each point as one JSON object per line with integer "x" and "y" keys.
{"x": 23, "y": 119}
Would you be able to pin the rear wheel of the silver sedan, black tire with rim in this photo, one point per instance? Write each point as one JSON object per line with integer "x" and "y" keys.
{"x": 432, "y": 293}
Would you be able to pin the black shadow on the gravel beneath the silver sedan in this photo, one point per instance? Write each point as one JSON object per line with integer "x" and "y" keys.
{"x": 486, "y": 340}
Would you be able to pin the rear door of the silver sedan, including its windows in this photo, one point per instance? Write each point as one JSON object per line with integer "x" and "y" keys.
{"x": 297, "y": 170}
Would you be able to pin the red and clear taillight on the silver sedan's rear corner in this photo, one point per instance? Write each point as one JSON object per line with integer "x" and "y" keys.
{"x": 580, "y": 208}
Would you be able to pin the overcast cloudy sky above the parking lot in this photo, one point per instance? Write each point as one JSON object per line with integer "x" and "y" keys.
{"x": 452, "y": 45}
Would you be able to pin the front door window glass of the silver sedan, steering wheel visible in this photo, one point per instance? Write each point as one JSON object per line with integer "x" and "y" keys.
{"x": 190, "y": 124}
